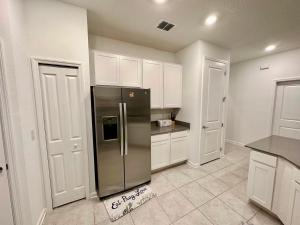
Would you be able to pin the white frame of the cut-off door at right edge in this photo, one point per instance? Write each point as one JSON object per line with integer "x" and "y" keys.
{"x": 273, "y": 102}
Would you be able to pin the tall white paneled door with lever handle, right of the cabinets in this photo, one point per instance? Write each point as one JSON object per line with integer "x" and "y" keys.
{"x": 212, "y": 110}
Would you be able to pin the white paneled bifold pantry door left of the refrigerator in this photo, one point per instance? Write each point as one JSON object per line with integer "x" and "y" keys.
{"x": 62, "y": 118}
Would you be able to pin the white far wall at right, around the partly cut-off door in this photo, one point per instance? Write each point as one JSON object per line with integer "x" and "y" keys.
{"x": 250, "y": 94}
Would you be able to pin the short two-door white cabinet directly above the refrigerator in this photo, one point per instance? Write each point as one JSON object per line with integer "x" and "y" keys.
{"x": 116, "y": 70}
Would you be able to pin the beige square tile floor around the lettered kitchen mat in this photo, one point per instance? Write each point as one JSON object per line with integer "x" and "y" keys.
{"x": 214, "y": 194}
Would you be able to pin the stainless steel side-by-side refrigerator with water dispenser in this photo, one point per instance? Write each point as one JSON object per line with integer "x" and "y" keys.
{"x": 122, "y": 140}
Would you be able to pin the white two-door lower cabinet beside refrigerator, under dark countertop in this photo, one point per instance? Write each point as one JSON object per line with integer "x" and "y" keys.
{"x": 167, "y": 149}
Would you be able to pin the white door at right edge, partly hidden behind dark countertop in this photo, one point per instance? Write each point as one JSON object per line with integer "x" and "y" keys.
{"x": 286, "y": 120}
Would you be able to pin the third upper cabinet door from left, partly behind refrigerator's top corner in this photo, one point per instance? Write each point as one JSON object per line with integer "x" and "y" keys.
{"x": 153, "y": 79}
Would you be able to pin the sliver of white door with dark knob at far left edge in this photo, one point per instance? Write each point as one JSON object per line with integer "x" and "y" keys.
{"x": 6, "y": 216}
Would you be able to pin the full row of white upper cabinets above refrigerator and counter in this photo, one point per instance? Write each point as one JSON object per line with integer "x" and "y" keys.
{"x": 164, "y": 79}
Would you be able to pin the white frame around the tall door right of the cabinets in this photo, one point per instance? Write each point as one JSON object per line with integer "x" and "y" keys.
{"x": 224, "y": 113}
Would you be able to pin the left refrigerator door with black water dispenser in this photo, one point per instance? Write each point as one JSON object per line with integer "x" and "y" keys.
{"x": 108, "y": 135}
